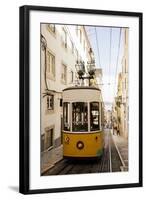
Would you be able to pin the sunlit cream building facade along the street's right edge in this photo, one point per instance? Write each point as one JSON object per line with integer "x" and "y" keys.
{"x": 121, "y": 106}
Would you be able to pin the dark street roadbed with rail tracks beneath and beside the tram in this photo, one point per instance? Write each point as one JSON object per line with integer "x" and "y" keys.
{"x": 111, "y": 161}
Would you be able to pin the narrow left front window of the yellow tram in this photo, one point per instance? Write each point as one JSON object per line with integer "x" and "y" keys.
{"x": 66, "y": 120}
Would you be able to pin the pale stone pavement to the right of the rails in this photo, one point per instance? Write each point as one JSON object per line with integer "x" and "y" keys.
{"x": 121, "y": 144}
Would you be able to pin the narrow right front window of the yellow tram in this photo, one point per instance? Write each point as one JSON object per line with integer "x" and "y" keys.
{"x": 94, "y": 116}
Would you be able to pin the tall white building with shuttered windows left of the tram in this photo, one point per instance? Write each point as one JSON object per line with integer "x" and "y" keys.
{"x": 64, "y": 45}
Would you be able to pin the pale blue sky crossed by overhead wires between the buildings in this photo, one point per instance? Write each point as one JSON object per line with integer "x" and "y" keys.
{"x": 107, "y": 45}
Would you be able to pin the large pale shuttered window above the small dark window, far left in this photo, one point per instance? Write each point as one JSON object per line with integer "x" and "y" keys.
{"x": 50, "y": 65}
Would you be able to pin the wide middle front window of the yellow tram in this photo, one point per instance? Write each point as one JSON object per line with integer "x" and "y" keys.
{"x": 79, "y": 117}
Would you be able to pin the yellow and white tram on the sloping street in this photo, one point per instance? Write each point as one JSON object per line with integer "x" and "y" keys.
{"x": 82, "y": 122}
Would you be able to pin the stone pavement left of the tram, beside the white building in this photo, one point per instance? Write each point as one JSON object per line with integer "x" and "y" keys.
{"x": 50, "y": 158}
